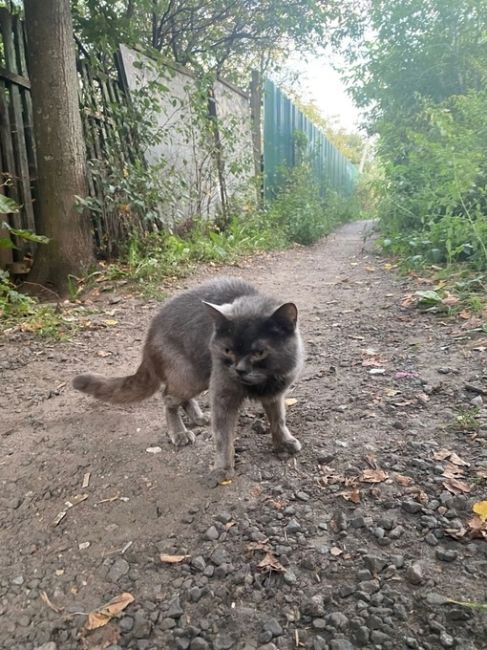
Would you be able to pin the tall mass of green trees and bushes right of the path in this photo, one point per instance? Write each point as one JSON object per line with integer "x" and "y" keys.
{"x": 419, "y": 70}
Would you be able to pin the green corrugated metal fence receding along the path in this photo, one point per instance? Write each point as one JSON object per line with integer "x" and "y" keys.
{"x": 290, "y": 137}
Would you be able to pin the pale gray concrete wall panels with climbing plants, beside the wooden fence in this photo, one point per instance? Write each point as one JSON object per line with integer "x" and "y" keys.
{"x": 184, "y": 148}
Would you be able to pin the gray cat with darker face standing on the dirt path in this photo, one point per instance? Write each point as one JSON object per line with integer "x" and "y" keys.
{"x": 226, "y": 335}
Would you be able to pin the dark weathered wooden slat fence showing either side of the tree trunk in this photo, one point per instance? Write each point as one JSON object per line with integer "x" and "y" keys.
{"x": 110, "y": 143}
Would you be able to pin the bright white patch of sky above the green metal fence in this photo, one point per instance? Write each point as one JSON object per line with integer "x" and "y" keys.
{"x": 317, "y": 80}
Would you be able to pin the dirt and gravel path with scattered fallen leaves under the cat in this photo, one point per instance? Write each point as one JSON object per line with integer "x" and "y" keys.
{"x": 377, "y": 401}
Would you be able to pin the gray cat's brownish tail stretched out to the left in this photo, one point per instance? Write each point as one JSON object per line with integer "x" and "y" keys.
{"x": 121, "y": 390}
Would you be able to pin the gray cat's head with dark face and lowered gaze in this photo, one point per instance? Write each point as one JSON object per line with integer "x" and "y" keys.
{"x": 254, "y": 341}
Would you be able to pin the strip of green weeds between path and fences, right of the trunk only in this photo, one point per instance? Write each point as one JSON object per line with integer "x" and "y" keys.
{"x": 299, "y": 215}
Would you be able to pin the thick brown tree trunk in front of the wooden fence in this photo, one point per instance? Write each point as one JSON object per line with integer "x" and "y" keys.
{"x": 60, "y": 146}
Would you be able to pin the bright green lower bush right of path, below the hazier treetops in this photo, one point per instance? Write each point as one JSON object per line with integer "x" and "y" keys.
{"x": 434, "y": 202}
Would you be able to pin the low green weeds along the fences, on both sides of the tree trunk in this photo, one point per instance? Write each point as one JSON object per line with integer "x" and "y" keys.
{"x": 299, "y": 215}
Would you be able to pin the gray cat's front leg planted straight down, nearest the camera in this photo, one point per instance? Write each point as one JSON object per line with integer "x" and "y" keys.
{"x": 225, "y": 402}
